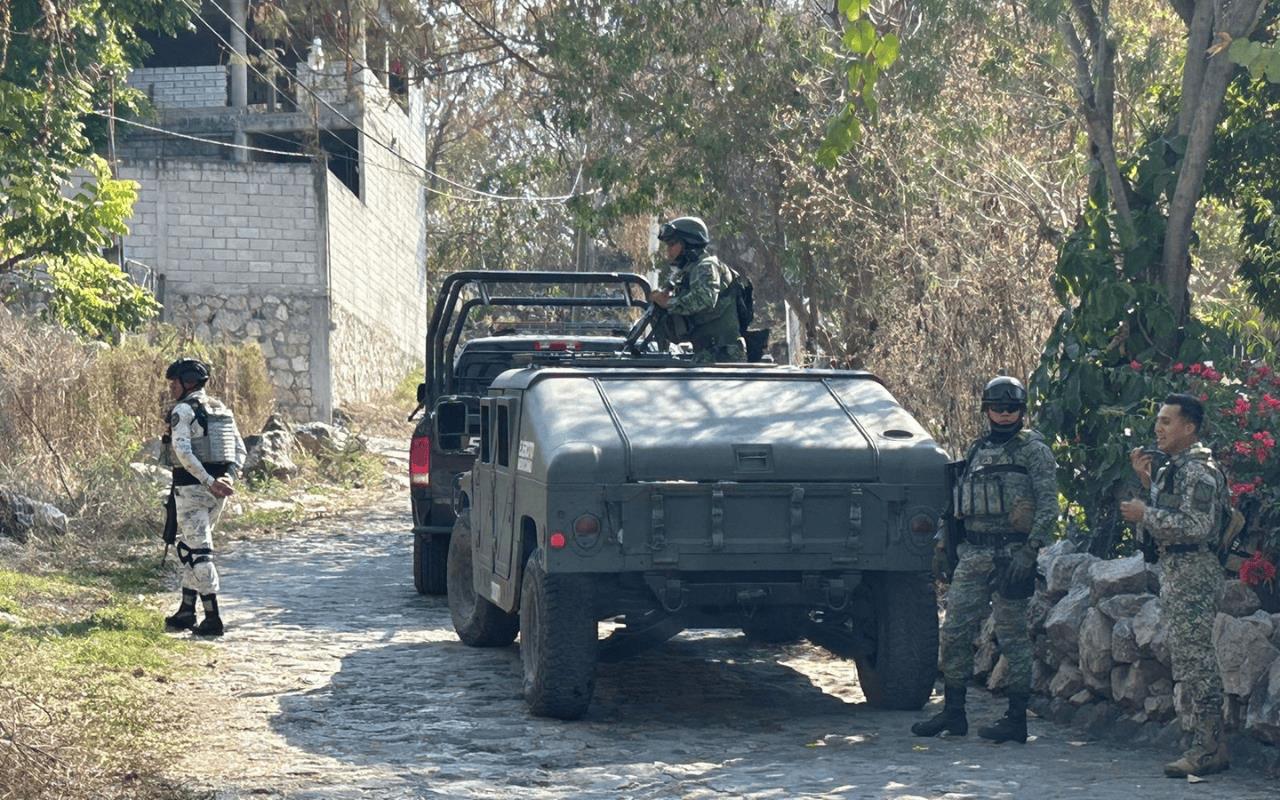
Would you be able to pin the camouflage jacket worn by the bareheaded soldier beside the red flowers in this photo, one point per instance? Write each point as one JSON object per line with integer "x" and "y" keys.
{"x": 1187, "y": 500}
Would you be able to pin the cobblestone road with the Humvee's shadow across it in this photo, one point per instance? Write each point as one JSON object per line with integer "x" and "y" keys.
{"x": 336, "y": 682}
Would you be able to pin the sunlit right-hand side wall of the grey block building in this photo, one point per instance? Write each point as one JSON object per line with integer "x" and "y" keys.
{"x": 378, "y": 255}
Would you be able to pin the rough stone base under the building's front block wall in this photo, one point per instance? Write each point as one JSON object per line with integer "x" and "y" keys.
{"x": 282, "y": 326}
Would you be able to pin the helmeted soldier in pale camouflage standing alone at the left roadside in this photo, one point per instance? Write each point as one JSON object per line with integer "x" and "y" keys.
{"x": 207, "y": 454}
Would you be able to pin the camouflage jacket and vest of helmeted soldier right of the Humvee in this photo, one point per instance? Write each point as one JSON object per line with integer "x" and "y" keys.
{"x": 1011, "y": 487}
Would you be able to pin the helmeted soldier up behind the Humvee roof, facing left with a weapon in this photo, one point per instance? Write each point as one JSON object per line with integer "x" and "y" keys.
{"x": 701, "y": 301}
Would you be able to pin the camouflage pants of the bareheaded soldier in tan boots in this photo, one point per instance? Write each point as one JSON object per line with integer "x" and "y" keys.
{"x": 1191, "y": 589}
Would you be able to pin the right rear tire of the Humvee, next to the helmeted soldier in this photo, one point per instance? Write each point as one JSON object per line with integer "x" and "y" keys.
{"x": 900, "y": 674}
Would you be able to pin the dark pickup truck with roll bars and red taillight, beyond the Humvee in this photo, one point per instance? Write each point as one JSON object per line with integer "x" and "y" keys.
{"x": 460, "y": 365}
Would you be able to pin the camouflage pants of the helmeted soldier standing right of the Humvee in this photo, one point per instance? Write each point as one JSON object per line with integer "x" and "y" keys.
{"x": 968, "y": 602}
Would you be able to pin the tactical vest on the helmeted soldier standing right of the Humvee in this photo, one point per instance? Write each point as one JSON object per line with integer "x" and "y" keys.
{"x": 994, "y": 486}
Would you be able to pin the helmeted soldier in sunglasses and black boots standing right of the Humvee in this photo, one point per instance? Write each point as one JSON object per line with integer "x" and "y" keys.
{"x": 1008, "y": 500}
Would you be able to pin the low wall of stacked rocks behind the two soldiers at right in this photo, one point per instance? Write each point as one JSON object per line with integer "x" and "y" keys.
{"x": 1103, "y": 659}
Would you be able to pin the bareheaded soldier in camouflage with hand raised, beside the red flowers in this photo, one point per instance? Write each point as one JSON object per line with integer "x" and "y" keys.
{"x": 1188, "y": 500}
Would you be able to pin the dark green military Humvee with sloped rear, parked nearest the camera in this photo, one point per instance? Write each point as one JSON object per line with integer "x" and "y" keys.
{"x": 665, "y": 497}
